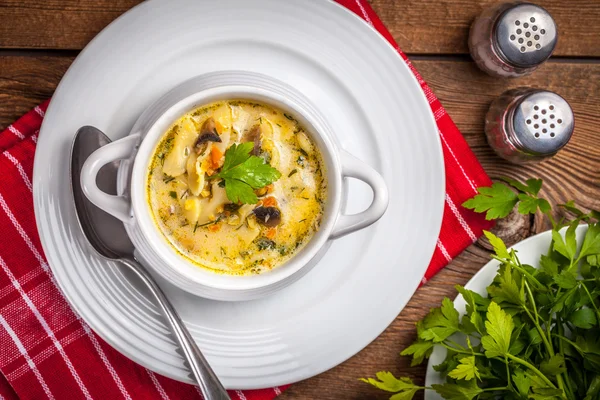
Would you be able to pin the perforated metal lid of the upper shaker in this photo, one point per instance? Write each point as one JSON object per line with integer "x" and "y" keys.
{"x": 525, "y": 35}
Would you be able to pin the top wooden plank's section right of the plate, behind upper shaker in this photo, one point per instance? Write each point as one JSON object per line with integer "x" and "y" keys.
{"x": 442, "y": 26}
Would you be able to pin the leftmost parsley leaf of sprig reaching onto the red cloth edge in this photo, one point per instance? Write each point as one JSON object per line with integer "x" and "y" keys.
{"x": 498, "y": 201}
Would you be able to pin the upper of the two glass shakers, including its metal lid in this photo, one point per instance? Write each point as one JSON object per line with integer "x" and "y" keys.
{"x": 512, "y": 39}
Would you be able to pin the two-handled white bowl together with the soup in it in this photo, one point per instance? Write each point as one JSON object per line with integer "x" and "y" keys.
{"x": 235, "y": 186}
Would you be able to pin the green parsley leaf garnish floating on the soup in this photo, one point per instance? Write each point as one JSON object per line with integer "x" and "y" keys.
{"x": 242, "y": 173}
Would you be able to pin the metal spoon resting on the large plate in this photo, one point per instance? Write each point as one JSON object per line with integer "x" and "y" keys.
{"x": 108, "y": 237}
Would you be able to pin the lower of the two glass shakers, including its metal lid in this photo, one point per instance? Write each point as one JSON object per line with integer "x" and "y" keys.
{"x": 527, "y": 125}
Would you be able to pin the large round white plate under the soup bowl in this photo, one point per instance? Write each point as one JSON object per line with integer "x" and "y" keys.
{"x": 380, "y": 115}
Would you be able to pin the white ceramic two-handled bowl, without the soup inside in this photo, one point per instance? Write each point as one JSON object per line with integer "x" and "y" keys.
{"x": 131, "y": 206}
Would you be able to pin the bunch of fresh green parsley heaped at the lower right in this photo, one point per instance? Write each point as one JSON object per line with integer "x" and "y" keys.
{"x": 537, "y": 334}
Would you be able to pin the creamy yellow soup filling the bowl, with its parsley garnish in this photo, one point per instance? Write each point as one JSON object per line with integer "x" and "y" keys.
{"x": 237, "y": 187}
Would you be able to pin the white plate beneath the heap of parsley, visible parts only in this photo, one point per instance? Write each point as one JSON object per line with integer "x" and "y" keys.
{"x": 529, "y": 251}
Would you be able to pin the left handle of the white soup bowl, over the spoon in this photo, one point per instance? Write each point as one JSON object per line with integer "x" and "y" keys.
{"x": 117, "y": 206}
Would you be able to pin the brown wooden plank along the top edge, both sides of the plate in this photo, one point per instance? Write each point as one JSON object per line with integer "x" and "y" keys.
{"x": 419, "y": 26}
